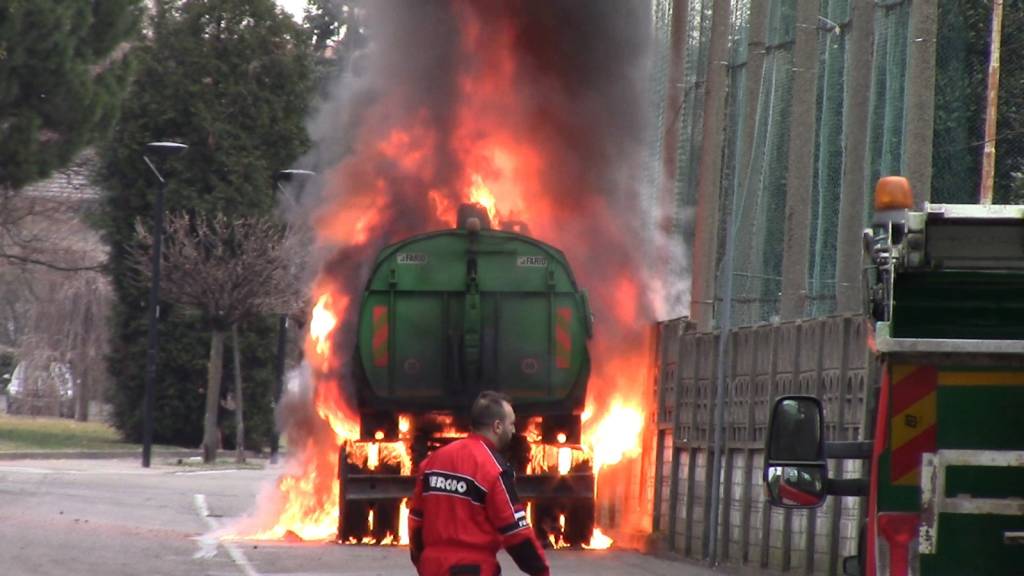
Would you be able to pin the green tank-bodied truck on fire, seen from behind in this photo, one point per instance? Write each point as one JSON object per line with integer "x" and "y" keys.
{"x": 444, "y": 316}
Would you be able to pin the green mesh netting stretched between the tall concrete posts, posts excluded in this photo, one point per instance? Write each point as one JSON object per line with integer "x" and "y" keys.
{"x": 758, "y": 97}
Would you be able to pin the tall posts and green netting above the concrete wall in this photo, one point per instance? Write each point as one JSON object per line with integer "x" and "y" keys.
{"x": 860, "y": 119}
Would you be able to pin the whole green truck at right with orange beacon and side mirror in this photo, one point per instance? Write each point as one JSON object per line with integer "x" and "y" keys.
{"x": 944, "y": 491}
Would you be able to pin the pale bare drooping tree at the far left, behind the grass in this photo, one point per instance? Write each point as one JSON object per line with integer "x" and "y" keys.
{"x": 54, "y": 301}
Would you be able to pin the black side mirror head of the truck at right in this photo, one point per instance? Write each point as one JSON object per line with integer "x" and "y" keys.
{"x": 796, "y": 472}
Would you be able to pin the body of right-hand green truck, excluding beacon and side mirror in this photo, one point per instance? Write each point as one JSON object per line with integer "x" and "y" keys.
{"x": 951, "y": 338}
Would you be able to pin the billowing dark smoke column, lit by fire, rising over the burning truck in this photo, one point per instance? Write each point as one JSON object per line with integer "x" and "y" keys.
{"x": 539, "y": 103}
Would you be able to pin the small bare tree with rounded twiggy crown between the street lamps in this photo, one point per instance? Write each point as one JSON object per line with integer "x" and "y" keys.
{"x": 227, "y": 270}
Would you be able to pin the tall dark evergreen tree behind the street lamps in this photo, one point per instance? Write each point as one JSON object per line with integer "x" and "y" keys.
{"x": 232, "y": 79}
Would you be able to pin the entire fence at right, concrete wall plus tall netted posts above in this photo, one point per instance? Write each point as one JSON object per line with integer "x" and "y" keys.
{"x": 821, "y": 99}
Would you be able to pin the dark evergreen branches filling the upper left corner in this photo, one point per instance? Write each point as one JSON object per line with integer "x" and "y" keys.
{"x": 63, "y": 74}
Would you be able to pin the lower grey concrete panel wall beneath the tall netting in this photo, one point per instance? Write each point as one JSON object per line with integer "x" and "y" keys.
{"x": 827, "y": 358}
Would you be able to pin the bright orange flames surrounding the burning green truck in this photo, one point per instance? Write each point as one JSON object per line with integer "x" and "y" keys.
{"x": 497, "y": 143}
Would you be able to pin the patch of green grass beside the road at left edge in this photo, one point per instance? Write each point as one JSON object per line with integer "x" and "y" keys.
{"x": 29, "y": 434}
